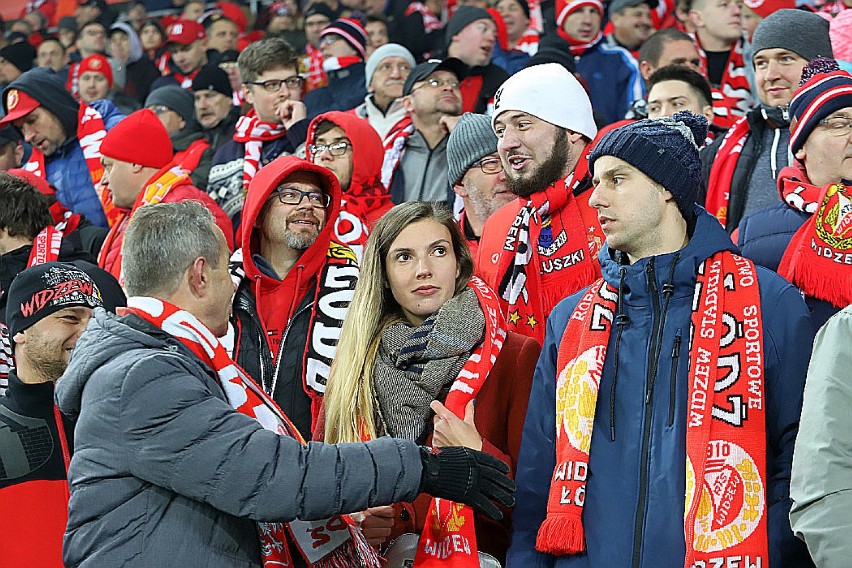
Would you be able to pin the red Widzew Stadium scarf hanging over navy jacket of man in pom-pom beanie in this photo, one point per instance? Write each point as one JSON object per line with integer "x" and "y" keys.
{"x": 726, "y": 510}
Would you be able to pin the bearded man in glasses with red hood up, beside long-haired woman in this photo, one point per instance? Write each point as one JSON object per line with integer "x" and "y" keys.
{"x": 295, "y": 285}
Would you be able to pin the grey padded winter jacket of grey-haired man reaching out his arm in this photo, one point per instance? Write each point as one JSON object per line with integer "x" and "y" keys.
{"x": 166, "y": 473}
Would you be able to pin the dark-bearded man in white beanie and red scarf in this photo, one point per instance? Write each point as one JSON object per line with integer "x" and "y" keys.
{"x": 543, "y": 246}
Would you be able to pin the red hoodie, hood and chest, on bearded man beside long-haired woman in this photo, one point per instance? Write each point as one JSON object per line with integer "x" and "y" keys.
{"x": 277, "y": 299}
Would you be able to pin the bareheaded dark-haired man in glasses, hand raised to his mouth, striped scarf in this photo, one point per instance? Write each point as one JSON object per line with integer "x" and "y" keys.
{"x": 275, "y": 125}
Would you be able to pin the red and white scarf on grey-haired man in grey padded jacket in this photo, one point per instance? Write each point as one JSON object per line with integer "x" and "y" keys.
{"x": 328, "y": 543}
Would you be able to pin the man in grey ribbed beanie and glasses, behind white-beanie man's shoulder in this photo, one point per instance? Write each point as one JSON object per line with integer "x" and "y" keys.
{"x": 477, "y": 174}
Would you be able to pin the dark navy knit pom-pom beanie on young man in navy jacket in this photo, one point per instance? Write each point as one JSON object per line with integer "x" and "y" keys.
{"x": 664, "y": 149}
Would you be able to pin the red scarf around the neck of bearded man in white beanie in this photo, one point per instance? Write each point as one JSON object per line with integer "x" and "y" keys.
{"x": 548, "y": 225}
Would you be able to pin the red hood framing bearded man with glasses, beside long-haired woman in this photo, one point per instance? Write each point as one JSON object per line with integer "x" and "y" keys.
{"x": 267, "y": 179}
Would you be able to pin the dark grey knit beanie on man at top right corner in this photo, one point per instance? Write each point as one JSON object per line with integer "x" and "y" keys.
{"x": 803, "y": 33}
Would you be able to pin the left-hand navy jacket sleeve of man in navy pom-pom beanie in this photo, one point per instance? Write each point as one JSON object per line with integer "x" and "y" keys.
{"x": 538, "y": 451}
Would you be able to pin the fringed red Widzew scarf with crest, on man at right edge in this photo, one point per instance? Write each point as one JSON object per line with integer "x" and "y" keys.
{"x": 818, "y": 259}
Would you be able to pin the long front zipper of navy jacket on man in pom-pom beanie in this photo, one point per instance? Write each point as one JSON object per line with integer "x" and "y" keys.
{"x": 645, "y": 456}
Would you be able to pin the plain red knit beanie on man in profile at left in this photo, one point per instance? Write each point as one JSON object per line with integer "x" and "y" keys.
{"x": 140, "y": 138}
